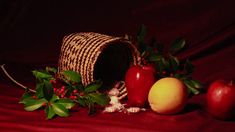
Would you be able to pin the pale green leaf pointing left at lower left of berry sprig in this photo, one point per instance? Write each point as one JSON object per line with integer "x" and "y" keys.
{"x": 34, "y": 104}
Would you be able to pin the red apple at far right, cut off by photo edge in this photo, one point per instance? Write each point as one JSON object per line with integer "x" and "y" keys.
{"x": 221, "y": 99}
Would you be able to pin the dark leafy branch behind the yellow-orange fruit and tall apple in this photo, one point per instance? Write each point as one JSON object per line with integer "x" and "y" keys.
{"x": 164, "y": 61}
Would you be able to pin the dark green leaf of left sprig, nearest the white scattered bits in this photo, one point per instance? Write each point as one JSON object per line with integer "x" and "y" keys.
{"x": 99, "y": 98}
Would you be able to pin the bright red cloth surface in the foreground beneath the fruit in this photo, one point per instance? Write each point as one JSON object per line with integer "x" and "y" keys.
{"x": 194, "y": 118}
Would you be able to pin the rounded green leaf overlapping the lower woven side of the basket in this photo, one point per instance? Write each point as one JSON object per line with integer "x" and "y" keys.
{"x": 72, "y": 76}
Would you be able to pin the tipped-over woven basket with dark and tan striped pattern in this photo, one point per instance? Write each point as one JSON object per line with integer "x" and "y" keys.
{"x": 97, "y": 56}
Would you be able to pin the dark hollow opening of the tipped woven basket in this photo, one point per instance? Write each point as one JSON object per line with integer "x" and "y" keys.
{"x": 113, "y": 63}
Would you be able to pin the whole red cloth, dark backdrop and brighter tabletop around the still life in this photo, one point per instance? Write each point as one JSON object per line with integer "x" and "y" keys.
{"x": 31, "y": 33}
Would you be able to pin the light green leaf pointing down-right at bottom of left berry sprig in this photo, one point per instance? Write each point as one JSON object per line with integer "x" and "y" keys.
{"x": 60, "y": 110}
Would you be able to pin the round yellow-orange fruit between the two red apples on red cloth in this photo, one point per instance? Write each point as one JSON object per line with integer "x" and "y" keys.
{"x": 167, "y": 96}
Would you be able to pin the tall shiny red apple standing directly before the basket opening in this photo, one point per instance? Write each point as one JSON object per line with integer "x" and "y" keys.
{"x": 138, "y": 81}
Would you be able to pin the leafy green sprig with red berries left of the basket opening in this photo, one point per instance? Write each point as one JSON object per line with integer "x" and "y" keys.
{"x": 57, "y": 96}
